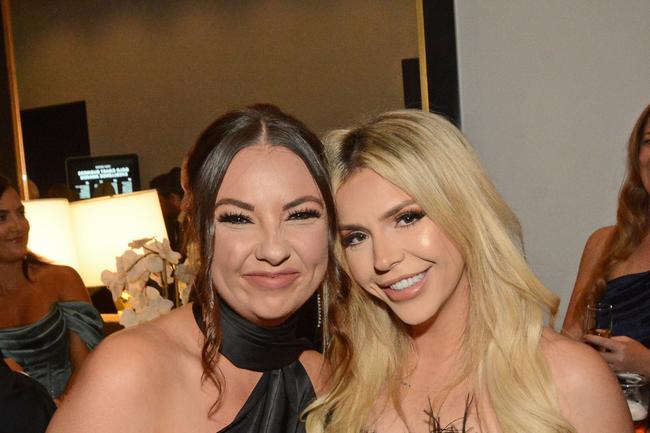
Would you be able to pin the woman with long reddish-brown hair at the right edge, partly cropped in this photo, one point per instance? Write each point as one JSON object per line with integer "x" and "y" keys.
{"x": 615, "y": 266}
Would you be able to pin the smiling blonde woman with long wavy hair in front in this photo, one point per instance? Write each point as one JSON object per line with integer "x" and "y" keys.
{"x": 446, "y": 328}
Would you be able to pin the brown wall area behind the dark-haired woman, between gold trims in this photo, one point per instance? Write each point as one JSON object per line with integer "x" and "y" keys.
{"x": 154, "y": 74}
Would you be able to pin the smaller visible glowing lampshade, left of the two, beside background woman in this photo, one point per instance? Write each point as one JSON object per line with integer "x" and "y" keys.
{"x": 51, "y": 235}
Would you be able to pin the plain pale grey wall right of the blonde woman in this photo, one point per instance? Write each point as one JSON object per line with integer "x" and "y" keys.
{"x": 550, "y": 91}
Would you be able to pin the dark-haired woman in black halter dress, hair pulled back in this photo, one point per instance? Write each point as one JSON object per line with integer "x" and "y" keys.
{"x": 261, "y": 214}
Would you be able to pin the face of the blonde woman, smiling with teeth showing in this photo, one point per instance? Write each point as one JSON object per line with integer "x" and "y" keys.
{"x": 394, "y": 251}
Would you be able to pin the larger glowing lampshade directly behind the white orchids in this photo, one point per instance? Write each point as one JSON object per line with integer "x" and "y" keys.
{"x": 104, "y": 226}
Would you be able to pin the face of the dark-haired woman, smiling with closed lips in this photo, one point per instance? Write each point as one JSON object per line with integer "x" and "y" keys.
{"x": 270, "y": 235}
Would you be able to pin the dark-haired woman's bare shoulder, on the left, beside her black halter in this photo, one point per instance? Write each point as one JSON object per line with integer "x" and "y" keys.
{"x": 133, "y": 373}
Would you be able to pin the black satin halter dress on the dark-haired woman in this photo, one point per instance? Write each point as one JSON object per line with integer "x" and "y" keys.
{"x": 284, "y": 390}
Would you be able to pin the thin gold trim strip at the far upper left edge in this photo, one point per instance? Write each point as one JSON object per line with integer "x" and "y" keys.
{"x": 21, "y": 167}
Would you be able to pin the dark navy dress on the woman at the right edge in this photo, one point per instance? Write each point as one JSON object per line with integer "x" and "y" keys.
{"x": 630, "y": 296}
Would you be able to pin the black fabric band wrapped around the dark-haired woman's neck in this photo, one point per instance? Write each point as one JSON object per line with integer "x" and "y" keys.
{"x": 254, "y": 347}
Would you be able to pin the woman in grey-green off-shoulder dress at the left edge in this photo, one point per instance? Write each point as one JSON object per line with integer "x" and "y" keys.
{"x": 47, "y": 324}
